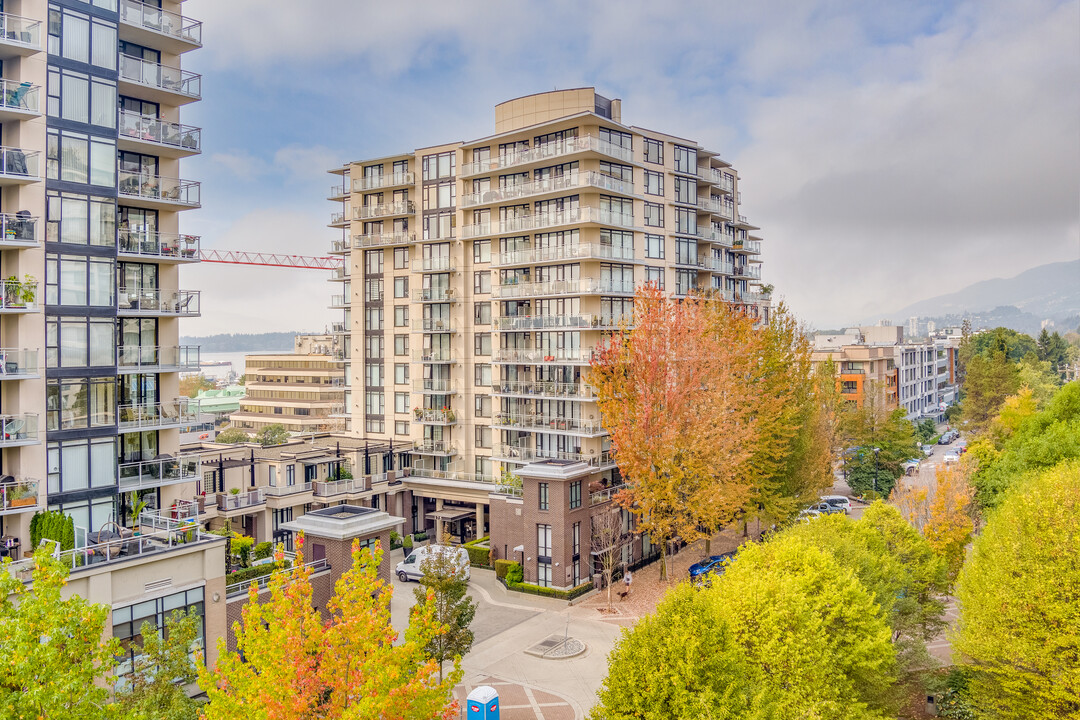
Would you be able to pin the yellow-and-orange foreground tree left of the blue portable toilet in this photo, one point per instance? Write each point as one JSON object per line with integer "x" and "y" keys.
{"x": 293, "y": 664}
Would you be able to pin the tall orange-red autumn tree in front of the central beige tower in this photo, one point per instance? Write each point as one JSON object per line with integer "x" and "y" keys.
{"x": 673, "y": 396}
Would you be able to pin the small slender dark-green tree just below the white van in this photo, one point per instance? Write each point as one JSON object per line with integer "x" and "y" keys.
{"x": 444, "y": 579}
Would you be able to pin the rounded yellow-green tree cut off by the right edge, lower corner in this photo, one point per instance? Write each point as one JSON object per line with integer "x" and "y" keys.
{"x": 1020, "y": 593}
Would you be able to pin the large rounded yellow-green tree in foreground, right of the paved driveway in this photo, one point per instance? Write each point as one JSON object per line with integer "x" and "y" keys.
{"x": 786, "y": 633}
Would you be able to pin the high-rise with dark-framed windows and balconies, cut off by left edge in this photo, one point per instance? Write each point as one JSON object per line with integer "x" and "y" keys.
{"x": 91, "y": 247}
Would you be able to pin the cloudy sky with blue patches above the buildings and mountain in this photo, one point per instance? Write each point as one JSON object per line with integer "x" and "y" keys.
{"x": 889, "y": 152}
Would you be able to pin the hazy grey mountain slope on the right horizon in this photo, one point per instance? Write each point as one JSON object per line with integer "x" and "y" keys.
{"x": 1050, "y": 292}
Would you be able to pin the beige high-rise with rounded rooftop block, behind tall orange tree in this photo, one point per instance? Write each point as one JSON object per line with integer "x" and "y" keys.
{"x": 480, "y": 277}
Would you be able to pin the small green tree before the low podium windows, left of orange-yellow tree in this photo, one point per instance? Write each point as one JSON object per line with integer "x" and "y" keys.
{"x": 156, "y": 688}
